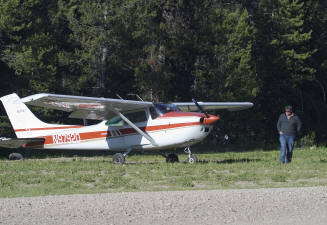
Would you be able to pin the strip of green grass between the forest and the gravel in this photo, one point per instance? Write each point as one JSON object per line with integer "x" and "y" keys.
{"x": 217, "y": 170}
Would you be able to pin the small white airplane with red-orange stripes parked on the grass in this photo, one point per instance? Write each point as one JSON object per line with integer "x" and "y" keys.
{"x": 126, "y": 125}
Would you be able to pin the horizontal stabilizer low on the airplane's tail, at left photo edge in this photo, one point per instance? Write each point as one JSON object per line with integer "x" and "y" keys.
{"x": 19, "y": 142}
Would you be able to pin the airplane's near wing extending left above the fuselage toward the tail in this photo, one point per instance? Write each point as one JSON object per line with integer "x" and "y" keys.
{"x": 85, "y": 107}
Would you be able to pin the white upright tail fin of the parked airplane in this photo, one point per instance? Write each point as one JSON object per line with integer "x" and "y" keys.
{"x": 21, "y": 118}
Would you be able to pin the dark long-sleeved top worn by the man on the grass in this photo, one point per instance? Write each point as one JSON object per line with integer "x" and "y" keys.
{"x": 289, "y": 126}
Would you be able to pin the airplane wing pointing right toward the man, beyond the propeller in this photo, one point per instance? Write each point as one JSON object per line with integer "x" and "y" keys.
{"x": 231, "y": 106}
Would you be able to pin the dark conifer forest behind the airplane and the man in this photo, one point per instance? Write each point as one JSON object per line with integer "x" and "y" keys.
{"x": 269, "y": 52}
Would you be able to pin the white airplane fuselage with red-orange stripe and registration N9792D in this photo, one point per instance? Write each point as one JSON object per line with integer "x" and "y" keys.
{"x": 165, "y": 124}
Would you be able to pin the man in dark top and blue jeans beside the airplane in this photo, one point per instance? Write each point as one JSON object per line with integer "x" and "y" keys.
{"x": 288, "y": 126}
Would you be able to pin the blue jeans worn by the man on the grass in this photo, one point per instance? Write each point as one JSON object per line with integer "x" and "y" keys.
{"x": 286, "y": 142}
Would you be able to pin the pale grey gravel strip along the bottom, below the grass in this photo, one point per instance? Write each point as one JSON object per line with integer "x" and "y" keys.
{"x": 245, "y": 206}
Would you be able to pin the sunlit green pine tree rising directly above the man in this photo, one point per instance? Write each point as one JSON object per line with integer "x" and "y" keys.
{"x": 293, "y": 41}
